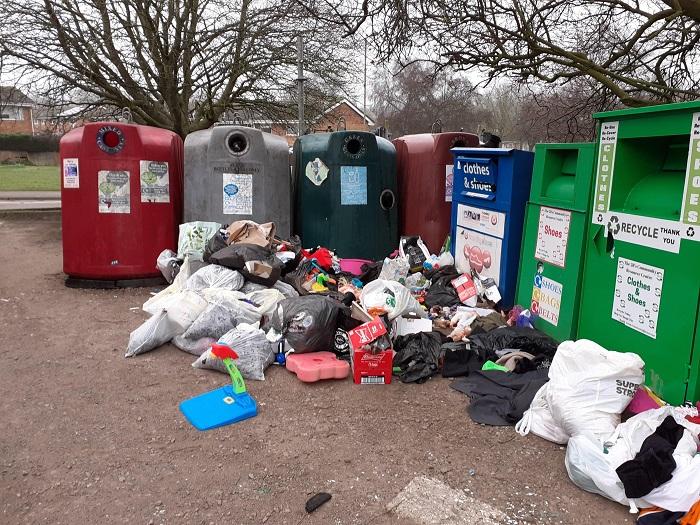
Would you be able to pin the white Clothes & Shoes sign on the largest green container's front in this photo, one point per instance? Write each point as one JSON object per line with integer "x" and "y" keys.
{"x": 638, "y": 296}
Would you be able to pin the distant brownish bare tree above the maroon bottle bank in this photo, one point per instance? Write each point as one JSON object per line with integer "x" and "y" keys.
{"x": 411, "y": 100}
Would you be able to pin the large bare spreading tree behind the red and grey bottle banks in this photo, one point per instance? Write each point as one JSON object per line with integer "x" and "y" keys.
{"x": 177, "y": 64}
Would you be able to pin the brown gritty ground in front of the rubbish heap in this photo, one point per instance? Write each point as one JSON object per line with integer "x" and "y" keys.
{"x": 91, "y": 437}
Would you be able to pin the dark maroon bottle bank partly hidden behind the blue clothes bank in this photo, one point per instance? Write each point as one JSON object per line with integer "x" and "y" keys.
{"x": 424, "y": 173}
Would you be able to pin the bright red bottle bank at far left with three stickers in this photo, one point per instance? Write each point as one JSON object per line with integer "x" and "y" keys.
{"x": 121, "y": 199}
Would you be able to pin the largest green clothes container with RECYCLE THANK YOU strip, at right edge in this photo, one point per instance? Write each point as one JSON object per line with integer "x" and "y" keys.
{"x": 641, "y": 283}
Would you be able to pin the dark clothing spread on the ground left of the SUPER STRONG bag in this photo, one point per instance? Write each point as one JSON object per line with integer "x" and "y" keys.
{"x": 500, "y": 398}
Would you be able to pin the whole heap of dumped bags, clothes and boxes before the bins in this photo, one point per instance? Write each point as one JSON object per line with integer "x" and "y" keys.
{"x": 413, "y": 316}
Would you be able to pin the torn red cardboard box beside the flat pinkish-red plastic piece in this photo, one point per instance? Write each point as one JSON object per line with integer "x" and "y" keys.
{"x": 369, "y": 368}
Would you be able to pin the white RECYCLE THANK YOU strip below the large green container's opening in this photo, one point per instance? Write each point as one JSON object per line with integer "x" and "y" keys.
{"x": 651, "y": 232}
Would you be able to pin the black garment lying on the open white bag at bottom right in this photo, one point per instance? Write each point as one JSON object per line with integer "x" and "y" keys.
{"x": 654, "y": 464}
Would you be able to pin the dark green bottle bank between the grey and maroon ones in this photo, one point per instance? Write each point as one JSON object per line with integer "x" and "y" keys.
{"x": 345, "y": 187}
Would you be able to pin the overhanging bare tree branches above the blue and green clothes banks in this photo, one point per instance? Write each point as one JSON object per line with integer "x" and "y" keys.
{"x": 641, "y": 52}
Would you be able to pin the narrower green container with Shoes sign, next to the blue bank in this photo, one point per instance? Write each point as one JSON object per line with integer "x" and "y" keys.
{"x": 554, "y": 236}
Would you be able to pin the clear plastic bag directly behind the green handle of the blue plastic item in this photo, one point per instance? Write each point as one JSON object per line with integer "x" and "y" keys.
{"x": 255, "y": 352}
